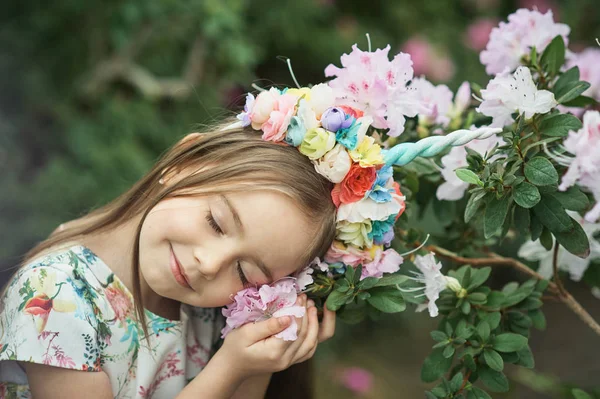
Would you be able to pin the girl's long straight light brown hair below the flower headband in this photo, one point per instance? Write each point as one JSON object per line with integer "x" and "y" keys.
{"x": 239, "y": 160}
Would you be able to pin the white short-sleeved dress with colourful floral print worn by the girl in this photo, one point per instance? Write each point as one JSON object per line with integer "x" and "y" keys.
{"x": 67, "y": 309}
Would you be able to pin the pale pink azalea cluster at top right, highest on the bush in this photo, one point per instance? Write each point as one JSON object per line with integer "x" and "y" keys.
{"x": 510, "y": 41}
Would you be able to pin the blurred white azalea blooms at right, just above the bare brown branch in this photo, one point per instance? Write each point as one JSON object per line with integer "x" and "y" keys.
{"x": 576, "y": 266}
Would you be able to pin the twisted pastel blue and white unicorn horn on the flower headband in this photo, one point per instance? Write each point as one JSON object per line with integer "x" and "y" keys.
{"x": 403, "y": 153}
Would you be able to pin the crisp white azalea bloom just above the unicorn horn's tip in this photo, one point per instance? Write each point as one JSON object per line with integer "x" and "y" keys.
{"x": 507, "y": 93}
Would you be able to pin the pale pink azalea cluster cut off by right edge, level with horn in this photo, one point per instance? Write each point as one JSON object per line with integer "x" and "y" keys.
{"x": 584, "y": 168}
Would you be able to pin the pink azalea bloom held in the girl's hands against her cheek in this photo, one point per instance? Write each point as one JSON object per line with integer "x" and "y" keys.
{"x": 252, "y": 305}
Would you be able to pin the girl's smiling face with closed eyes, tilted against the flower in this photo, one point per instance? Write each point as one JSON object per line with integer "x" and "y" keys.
{"x": 201, "y": 250}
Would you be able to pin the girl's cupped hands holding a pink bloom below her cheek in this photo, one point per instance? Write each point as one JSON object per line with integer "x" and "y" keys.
{"x": 252, "y": 349}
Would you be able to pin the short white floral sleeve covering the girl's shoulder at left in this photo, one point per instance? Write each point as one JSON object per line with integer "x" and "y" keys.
{"x": 54, "y": 310}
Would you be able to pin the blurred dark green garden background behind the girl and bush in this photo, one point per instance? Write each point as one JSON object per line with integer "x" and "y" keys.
{"x": 92, "y": 92}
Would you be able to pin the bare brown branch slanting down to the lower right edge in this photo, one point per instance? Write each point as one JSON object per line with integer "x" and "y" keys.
{"x": 497, "y": 260}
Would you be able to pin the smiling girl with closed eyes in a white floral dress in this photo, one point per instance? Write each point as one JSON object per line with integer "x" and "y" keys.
{"x": 124, "y": 302}
